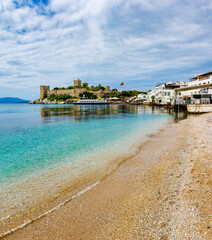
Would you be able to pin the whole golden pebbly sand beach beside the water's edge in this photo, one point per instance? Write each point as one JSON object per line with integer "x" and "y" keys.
{"x": 164, "y": 192}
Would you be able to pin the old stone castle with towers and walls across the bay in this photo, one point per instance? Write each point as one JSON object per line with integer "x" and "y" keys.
{"x": 74, "y": 90}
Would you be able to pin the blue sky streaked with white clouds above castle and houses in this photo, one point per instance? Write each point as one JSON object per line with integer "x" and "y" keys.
{"x": 138, "y": 42}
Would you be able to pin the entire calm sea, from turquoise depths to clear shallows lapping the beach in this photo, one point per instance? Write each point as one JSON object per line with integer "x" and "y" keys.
{"x": 50, "y": 153}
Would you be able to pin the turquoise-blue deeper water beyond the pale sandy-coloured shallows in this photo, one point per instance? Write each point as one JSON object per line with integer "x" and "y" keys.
{"x": 34, "y": 138}
